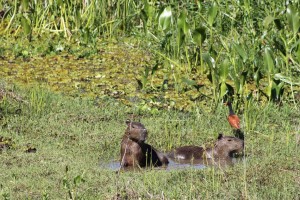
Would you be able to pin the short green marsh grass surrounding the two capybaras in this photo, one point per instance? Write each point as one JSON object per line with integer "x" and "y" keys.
{"x": 74, "y": 137}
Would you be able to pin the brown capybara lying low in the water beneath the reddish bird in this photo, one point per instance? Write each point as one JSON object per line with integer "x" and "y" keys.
{"x": 224, "y": 148}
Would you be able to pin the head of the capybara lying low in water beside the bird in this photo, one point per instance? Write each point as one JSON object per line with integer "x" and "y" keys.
{"x": 229, "y": 145}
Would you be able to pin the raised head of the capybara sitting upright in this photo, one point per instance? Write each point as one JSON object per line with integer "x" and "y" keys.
{"x": 136, "y": 131}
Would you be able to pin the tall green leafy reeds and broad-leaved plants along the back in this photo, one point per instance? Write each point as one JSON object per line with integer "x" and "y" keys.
{"x": 246, "y": 49}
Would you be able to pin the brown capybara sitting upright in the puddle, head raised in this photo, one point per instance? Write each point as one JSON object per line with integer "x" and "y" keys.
{"x": 134, "y": 150}
